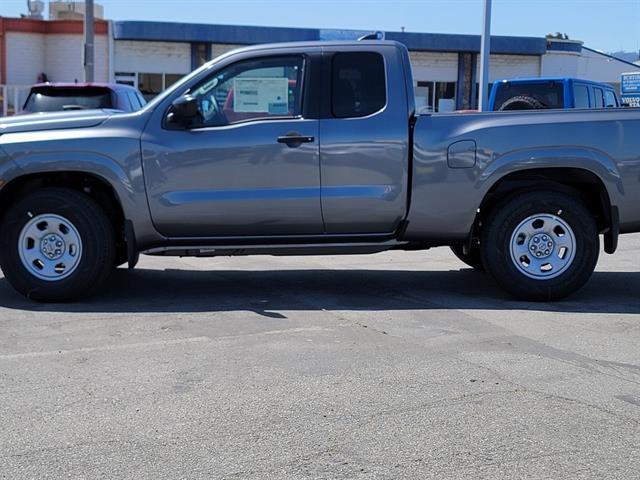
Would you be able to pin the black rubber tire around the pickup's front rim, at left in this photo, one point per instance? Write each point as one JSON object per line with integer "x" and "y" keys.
{"x": 97, "y": 257}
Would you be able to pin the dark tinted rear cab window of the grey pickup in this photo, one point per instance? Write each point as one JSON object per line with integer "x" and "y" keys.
{"x": 358, "y": 84}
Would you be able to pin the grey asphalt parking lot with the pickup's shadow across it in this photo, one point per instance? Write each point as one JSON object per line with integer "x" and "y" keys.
{"x": 397, "y": 365}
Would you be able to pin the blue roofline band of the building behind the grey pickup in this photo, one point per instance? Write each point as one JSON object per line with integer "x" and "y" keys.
{"x": 249, "y": 35}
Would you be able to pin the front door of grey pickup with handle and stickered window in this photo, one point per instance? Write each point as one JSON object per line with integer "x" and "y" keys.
{"x": 249, "y": 166}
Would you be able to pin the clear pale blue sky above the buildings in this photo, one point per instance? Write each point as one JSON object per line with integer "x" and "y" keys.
{"x": 608, "y": 25}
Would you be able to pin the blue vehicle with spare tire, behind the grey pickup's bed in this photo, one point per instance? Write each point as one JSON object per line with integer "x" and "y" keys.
{"x": 551, "y": 93}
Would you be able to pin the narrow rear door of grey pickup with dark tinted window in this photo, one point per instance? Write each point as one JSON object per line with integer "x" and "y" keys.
{"x": 364, "y": 133}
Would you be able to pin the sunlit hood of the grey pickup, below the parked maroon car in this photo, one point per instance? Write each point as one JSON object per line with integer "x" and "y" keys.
{"x": 54, "y": 121}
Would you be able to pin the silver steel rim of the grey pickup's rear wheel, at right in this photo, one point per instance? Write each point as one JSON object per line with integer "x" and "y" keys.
{"x": 543, "y": 246}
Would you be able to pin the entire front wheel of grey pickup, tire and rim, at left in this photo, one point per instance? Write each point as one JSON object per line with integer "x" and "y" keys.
{"x": 56, "y": 245}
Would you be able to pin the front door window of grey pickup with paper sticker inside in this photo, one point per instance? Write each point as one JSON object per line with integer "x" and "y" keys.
{"x": 257, "y": 89}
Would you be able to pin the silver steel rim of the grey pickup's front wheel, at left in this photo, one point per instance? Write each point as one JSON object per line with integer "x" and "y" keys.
{"x": 50, "y": 247}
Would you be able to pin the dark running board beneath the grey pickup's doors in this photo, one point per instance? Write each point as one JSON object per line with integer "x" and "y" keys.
{"x": 284, "y": 249}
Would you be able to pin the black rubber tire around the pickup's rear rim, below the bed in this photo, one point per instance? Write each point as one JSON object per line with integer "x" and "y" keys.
{"x": 506, "y": 217}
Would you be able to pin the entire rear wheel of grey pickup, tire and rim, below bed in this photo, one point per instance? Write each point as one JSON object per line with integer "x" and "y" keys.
{"x": 541, "y": 245}
